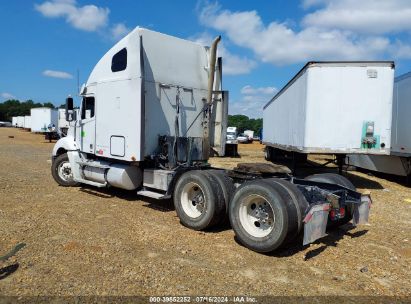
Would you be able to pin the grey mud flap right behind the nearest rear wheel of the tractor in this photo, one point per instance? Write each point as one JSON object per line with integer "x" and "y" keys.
{"x": 315, "y": 222}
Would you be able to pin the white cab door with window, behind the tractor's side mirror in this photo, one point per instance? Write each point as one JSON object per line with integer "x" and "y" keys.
{"x": 87, "y": 125}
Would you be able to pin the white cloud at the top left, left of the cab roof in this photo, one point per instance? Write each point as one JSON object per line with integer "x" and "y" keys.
{"x": 87, "y": 18}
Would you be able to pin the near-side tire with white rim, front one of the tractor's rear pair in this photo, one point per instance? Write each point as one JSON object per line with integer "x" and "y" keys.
{"x": 198, "y": 200}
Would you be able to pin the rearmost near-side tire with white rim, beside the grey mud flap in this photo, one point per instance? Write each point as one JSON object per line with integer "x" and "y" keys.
{"x": 259, "y": 216}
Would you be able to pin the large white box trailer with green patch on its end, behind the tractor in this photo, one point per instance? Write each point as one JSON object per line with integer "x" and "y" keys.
{"x": 335, "y": 108}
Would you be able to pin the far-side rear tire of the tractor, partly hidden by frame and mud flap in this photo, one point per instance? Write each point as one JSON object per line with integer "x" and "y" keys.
{"x": 333, "y": 178}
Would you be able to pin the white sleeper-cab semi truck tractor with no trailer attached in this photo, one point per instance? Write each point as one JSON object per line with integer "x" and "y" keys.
{"x": 152, "y": 112}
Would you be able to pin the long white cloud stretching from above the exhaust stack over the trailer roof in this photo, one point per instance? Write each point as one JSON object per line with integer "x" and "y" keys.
{"x": 279, "y": 44}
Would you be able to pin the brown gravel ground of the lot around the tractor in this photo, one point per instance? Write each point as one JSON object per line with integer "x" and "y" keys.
{"x": 86, "y": 241}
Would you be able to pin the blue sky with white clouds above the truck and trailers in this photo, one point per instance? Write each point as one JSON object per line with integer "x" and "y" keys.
{"x": 265, "y": 43}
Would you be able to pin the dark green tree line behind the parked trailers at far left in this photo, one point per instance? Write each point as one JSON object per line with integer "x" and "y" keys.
{"x": 14, "y": 107}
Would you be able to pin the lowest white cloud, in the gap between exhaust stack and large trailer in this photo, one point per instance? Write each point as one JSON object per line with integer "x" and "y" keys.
{"x": 252, "y": 101}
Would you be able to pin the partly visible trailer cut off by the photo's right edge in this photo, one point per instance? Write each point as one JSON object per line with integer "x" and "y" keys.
{"x": 399, "y": 160}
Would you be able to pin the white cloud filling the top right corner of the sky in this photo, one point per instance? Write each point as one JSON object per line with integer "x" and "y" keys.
{"x": 365, "y": 16}
